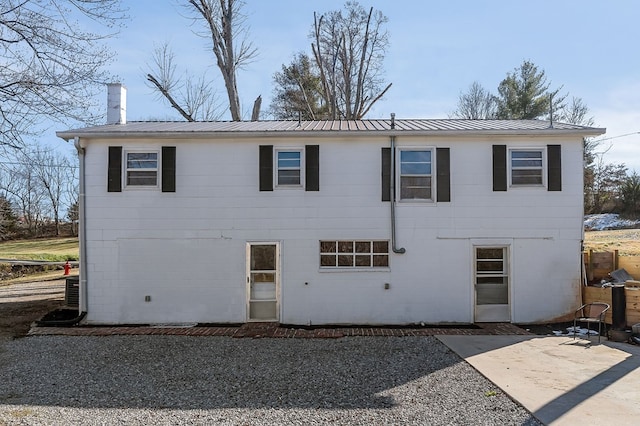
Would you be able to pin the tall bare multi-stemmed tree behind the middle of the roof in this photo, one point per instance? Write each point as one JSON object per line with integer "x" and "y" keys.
{"x": 349, "y": 48}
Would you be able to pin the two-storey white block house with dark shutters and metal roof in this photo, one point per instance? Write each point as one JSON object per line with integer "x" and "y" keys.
{"x": 330, "y": 222}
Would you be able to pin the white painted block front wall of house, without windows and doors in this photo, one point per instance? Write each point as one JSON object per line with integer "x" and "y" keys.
{"x": 186, "y": 250}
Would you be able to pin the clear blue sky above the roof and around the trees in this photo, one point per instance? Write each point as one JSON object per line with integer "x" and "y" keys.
{"x": 437, "y": 49}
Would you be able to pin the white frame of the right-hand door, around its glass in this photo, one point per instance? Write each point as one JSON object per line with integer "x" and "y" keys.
{"x": 498, "y": 312}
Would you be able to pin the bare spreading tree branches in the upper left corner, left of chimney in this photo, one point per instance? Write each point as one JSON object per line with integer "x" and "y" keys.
{"x": 51, "y": 67}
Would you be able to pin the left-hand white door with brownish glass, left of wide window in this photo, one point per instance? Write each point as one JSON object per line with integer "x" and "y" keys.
{"x": 262, "y": 281}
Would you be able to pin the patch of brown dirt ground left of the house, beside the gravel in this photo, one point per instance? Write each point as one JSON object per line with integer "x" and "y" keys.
{"x": 22, "y": 304}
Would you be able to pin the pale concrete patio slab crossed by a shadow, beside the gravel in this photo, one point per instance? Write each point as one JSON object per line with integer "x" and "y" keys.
{"x": 561, "y": 381}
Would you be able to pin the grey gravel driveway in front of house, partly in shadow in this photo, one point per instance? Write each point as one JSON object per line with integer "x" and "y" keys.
{"x": 168, "y": 380}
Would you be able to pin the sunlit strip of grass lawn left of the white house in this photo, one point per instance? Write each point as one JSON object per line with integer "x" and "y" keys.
{"x": 50, "y": 249}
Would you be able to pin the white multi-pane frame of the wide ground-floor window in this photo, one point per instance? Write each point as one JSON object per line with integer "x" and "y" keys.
{"x": 354, "y": 254}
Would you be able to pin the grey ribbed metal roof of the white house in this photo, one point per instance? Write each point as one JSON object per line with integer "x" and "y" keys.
{"x": 409, "y": 127}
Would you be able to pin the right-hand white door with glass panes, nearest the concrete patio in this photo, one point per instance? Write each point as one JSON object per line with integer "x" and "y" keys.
{"x": 491, "y": 282}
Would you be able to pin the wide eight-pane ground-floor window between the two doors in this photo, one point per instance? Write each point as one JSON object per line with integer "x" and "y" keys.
{"x": 354, "y": 254}
